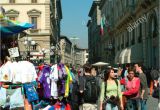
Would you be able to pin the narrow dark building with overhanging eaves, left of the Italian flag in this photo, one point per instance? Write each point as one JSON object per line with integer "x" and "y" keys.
{"x": 94, "y": 41}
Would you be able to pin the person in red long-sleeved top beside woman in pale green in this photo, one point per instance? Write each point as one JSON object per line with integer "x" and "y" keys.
{"x": 131, "y": 92}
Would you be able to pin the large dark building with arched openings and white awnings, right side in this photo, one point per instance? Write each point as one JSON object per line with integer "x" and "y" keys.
{"x": 133, "y": 32}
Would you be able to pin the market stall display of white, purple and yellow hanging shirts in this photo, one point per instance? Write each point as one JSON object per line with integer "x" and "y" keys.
{"x": 23, "y": 88}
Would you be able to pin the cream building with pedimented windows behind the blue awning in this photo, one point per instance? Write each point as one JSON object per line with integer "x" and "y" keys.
{"x": 45, "y": 15}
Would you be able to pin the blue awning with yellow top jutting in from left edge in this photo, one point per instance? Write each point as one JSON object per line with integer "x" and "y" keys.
{"x": 8, "y": 27}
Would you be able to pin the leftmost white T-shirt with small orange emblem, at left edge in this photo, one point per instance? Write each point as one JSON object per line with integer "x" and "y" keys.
{"x": 6, "y": 72}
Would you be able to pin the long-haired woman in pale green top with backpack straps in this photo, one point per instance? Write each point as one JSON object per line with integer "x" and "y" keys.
{"x": 110, "y": 94}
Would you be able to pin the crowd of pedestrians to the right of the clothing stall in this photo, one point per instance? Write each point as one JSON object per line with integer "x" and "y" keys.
{"x": 126, "y": 91}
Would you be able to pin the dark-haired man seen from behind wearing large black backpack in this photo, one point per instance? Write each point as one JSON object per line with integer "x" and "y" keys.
{"x": 89, "y": 89}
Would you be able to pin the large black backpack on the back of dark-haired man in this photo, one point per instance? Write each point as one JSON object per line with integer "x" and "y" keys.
{"x": 91, "y": 90}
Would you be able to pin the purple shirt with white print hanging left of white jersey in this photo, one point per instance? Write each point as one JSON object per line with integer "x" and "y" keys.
{"x": 46, "y": 82}
